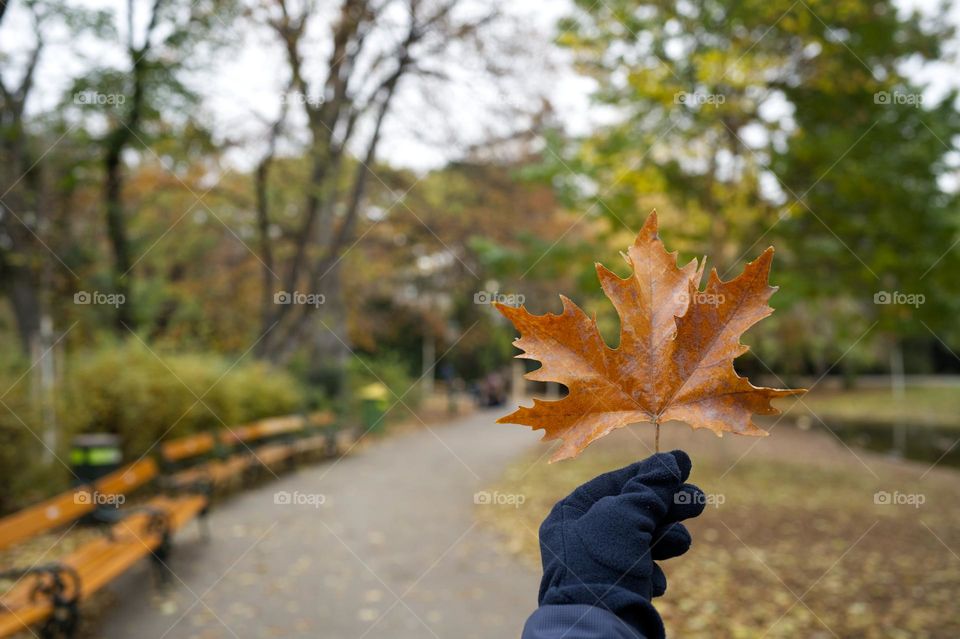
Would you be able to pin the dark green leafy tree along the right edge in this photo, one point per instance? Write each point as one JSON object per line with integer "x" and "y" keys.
{"x": 866, "y": 170}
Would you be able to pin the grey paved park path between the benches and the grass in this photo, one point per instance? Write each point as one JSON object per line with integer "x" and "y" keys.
{"x": 393, "y": 552}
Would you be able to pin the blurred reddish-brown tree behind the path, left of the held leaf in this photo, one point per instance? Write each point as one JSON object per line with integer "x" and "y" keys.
{"x": 429, "y": 280}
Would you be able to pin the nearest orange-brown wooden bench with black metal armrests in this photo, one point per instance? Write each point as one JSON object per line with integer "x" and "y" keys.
{"x": 50, "y": 593}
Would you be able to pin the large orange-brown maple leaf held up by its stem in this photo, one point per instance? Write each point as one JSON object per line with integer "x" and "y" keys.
{"x": 674, "y": 360}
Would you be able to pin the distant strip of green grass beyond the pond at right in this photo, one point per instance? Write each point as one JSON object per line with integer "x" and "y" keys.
{"x": 919, "y": 406}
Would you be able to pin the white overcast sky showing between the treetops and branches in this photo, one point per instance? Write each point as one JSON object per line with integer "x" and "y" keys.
{"x": 242, "y": 86}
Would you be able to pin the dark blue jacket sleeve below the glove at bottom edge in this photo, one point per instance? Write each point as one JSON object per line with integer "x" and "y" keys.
{"x": 577, "y": 621}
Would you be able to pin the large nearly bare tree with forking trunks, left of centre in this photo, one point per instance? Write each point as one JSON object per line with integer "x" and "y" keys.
{"x": 345, "y": 94}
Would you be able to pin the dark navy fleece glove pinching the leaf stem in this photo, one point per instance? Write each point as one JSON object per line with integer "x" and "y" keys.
{"x": 598, "y": 545}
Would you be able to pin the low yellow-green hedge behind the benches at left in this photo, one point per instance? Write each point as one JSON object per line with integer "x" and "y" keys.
{"x": 140, "y": 395}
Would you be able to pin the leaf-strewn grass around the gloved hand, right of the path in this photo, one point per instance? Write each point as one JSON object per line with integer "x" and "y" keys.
{"x": 799, "y": 546}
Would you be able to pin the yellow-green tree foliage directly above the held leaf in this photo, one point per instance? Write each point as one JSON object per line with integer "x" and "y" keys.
{"x": 684, "y": 84}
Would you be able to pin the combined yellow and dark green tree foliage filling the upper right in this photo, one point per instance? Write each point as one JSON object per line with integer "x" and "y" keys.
{"x": 794, "y": 124}
